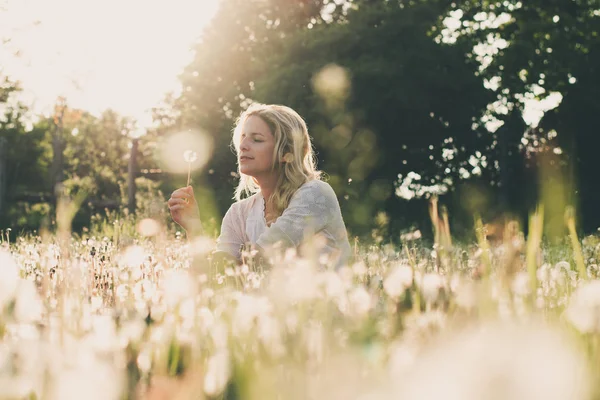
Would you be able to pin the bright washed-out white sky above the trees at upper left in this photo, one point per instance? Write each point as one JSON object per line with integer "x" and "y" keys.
{"x": 99, "y": 54}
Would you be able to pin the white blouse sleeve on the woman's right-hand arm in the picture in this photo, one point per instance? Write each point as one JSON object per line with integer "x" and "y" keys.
{"x": 310, "y": 210}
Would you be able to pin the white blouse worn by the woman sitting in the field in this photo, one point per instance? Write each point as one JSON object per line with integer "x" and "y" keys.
{"x": 313, "y": 209}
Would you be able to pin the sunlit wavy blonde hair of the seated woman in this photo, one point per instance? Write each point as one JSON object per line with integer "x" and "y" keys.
{"x": 292, "y": 144}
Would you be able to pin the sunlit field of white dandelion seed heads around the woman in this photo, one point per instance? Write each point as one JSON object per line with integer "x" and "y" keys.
{"x": 135, "y": 312}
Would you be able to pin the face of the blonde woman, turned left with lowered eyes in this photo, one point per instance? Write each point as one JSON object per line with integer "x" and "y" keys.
{"x": 255, "y": 155}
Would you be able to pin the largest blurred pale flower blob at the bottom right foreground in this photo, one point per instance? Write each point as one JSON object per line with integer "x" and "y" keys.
{"x": 499, "y": 362}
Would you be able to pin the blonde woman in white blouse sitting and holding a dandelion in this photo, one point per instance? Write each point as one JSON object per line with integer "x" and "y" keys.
{"x": 281, "y": 201}
